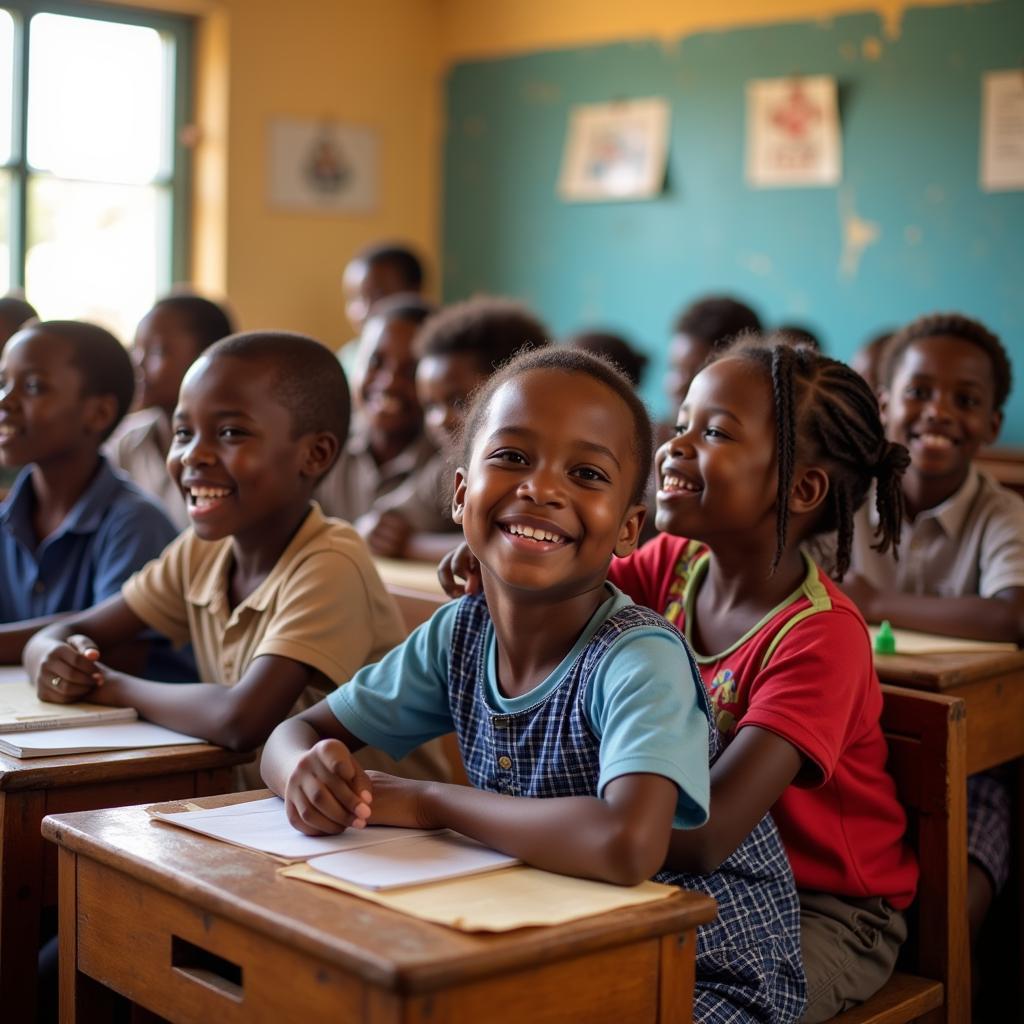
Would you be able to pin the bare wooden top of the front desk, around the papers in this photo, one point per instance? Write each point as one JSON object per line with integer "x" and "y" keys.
{"x": 383, "y": 948}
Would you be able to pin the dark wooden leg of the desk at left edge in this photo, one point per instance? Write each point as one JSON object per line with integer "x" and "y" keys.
{"x": 21, "y": 900}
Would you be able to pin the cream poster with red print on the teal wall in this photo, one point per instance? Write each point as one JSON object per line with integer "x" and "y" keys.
{"x": 793, "y": 133}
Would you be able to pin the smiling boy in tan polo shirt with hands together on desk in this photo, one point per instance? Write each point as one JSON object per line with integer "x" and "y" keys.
{"x": 280, "y": 604}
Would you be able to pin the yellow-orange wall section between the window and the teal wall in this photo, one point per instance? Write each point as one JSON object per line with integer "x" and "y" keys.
{"x": 373, "y": 65}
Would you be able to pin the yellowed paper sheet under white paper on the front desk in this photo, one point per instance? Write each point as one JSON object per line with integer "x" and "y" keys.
{"x": 499, "y": 902}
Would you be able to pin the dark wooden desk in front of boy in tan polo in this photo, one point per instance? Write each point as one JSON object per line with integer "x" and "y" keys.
{"x": 34, "y": 788}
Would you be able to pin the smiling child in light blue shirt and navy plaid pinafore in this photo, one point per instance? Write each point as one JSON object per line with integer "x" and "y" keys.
{"x": 582, "y": 740}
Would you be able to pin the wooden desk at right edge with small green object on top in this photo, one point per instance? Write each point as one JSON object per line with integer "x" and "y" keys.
{"x": 992, "y": 687}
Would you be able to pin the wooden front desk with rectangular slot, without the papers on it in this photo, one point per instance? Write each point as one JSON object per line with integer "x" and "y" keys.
{"x": 196, "y": 930}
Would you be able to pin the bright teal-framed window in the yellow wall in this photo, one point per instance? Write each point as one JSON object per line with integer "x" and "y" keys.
{"x": 93, "y": 173}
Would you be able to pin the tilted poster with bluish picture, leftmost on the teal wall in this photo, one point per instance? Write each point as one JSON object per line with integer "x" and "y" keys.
{"x": 616, "y": 151}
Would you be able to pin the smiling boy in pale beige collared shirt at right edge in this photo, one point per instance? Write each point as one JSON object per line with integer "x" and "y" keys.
{"x": 961, "y": 558}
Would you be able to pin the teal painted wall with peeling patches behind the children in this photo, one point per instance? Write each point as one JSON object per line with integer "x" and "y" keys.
{"x": 911, "y": 142}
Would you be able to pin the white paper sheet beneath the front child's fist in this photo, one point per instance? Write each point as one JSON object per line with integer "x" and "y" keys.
{"x": 263, "y": 826}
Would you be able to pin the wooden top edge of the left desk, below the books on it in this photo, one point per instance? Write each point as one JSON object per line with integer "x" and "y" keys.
{"x": 109, "y": 766}
